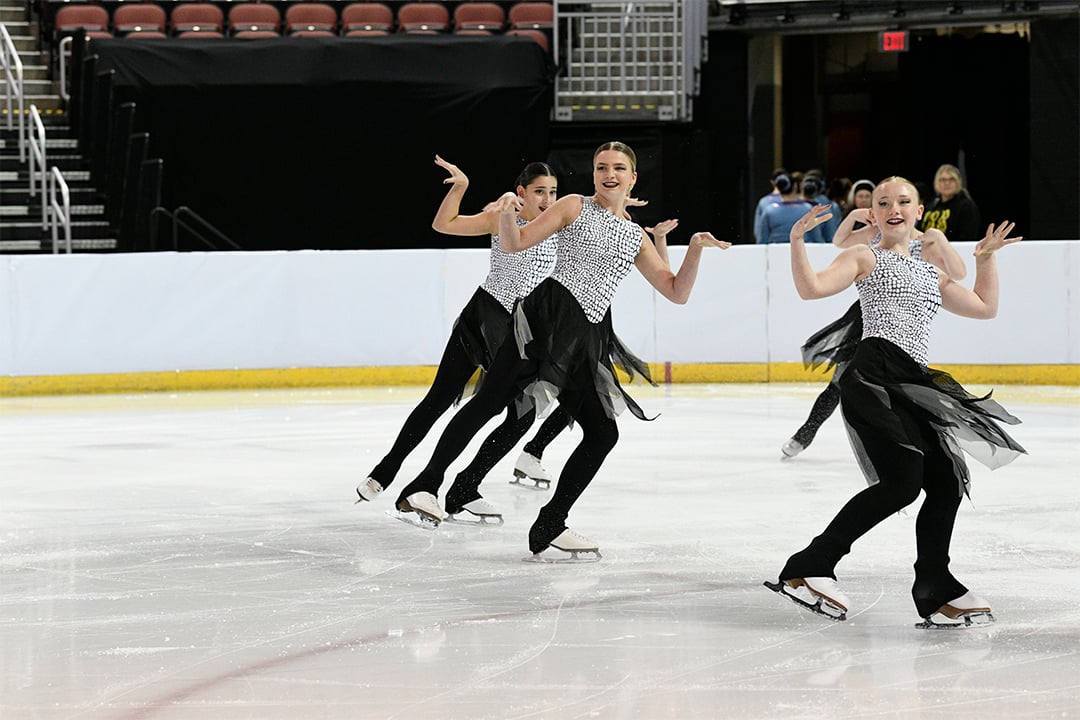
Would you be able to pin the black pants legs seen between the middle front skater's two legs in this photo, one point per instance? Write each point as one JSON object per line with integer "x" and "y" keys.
{"x": 466, "y": 486}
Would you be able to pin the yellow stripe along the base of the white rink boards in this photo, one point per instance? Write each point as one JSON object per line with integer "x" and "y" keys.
{"x": 199, "y": 381}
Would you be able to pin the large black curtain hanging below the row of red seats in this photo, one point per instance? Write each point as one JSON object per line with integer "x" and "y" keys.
{"x": 329, "y": 144}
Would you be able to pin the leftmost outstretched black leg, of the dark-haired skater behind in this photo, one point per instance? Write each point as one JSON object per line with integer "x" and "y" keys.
{"x": 454, "y": 372}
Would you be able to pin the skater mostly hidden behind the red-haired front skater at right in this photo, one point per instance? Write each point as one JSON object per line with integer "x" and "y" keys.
{"x": 834, "y": 345}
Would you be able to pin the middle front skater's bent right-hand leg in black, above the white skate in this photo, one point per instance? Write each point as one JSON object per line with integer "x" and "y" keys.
{"x": 600, "y": 434}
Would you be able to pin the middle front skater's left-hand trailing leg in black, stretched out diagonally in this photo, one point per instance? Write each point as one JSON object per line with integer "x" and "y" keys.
{"x": 499, "y": 388}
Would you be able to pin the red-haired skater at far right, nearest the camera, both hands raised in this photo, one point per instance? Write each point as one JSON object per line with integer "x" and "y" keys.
{"x": 908, "y": 423}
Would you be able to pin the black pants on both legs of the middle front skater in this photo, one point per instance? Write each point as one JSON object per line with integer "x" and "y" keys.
{"x": 508, "y": 376}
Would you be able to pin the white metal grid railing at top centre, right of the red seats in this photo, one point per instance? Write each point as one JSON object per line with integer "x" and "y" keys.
{"x": 629, "y": 61}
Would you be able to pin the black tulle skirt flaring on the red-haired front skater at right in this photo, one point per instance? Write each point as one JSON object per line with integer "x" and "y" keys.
{"x": 886, "y": 393}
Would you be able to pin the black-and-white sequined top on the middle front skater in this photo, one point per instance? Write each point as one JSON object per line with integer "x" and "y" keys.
{"x": 595, "y": 254}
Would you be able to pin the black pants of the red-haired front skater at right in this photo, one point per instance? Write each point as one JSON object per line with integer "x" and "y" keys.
{"x": 903, "y": 473}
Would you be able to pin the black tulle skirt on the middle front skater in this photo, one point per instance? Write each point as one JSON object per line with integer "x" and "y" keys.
{"x": 574, "y": 357}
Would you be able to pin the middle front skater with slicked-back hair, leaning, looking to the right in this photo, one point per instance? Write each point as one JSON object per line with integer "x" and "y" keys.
{"x": 563, "y": 337}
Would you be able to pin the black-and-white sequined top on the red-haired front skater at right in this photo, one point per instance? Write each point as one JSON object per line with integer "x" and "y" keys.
{"x": 899, "y": 301}
